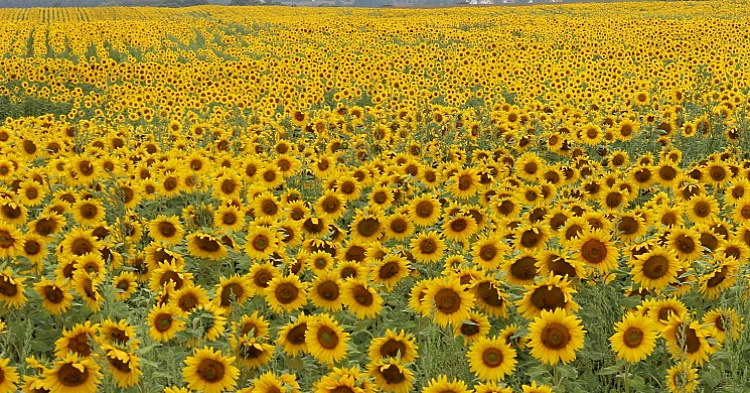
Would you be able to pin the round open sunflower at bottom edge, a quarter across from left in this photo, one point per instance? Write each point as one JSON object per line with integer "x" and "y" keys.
{"x": 209, "y": 371}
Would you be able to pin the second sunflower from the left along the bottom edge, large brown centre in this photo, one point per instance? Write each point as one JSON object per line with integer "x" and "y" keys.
{"x": 72, "y": 374}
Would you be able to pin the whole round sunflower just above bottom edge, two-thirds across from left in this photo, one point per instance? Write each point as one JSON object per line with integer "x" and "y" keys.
{"x": 491, "y": 359}
